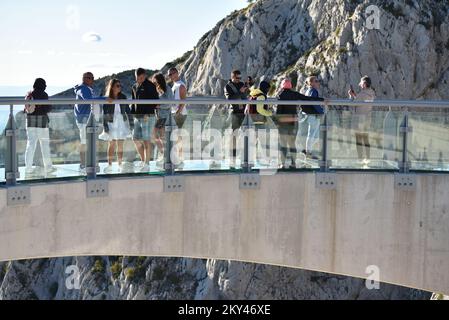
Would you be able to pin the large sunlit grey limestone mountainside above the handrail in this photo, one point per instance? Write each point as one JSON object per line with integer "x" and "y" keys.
{"x": 407, "y": 57}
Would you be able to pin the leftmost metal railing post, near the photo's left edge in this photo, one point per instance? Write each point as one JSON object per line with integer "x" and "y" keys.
{"x": 11, "y": 161}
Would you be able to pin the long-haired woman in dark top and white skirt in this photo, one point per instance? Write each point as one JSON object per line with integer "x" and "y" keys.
{"x": 116, "y": 122}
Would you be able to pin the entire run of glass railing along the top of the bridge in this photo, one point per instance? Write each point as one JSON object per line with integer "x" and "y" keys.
{"x": 390, "y": 136}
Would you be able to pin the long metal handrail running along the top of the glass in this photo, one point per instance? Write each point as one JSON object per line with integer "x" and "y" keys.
{"x": 443, "y": 104}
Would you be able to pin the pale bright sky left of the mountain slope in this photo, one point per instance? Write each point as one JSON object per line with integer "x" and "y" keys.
{"x": 59, "y": 40}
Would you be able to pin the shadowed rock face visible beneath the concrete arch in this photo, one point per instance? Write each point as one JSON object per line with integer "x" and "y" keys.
{"x": 142, "y": 278}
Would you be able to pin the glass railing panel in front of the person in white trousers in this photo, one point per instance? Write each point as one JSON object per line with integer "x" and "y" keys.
{"x": 49, "y": 148}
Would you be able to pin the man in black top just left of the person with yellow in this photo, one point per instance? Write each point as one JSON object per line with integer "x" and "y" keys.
{"x": 236, "y": 90}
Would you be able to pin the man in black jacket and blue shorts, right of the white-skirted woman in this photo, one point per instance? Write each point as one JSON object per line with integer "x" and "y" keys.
{"x": 144, "y": 117}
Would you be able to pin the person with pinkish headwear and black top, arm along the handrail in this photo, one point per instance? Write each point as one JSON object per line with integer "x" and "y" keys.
{"x": 287, "y": 121}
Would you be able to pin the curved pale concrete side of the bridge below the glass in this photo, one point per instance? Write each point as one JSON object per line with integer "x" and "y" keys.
{"x": 288, "y": 222}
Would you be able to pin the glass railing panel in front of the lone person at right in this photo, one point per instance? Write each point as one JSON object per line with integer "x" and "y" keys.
{"x": 362, "y": 139}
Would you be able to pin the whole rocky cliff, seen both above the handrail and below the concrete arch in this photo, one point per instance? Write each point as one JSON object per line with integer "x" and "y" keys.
{"x": 408, "y": 57}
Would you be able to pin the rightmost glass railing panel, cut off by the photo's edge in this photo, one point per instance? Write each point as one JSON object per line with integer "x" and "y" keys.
{"x": 429, "y": 140}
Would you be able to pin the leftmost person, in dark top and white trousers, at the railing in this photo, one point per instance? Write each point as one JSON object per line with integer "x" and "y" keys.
{"x": 37, "y": 123}
